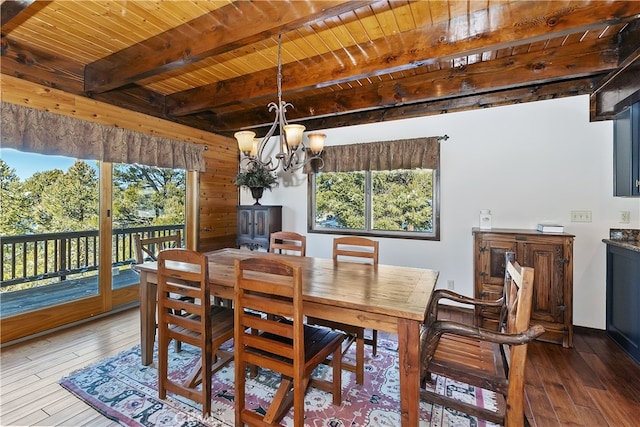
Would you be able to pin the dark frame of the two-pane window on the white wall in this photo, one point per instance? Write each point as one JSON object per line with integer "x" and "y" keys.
{"x": 368, "y": 231}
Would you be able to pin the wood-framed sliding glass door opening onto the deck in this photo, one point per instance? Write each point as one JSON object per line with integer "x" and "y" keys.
{"x": 66, "y": 236}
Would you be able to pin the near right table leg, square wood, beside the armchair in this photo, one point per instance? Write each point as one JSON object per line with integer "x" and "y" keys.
{"x": 409, "y": 363}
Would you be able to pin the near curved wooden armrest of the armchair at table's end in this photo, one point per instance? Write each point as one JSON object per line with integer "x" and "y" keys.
{"x": 431, "y": 336}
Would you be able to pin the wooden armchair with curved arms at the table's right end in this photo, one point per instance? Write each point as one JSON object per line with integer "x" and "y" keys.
{"x": 493, "y": 360}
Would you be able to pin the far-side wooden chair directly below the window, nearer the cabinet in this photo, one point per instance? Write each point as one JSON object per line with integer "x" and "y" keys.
{"x": 354, "y": 249}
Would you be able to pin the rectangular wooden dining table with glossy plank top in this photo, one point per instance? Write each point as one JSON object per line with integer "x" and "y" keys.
{"x": 383, "y": 297}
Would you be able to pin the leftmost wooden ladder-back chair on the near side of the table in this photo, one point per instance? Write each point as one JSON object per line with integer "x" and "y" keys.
{"x": 185, "y": 314}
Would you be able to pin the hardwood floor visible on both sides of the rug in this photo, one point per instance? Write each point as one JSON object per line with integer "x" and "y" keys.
{"x": 593, "y": 384}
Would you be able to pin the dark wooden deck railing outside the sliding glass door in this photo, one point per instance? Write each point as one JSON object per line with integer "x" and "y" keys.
{"x": 54, "y": 256}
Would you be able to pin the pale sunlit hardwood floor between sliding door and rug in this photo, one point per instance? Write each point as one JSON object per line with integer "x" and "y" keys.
{"x": 29, "y": 371}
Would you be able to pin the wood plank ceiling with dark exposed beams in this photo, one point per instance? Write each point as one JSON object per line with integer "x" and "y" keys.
{"x": 212, "y": 64}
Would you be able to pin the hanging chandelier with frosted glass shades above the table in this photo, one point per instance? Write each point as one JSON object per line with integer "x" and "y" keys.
{"x": 292, "y": 154}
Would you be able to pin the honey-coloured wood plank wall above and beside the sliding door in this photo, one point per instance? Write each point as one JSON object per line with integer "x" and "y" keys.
{"x": 217, "y": 195}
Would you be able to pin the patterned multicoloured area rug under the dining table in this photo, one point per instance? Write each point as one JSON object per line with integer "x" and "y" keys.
{"x": 122, "y": 389}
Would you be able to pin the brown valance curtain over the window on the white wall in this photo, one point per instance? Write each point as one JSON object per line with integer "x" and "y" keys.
{"x": 383, "y": 155}
